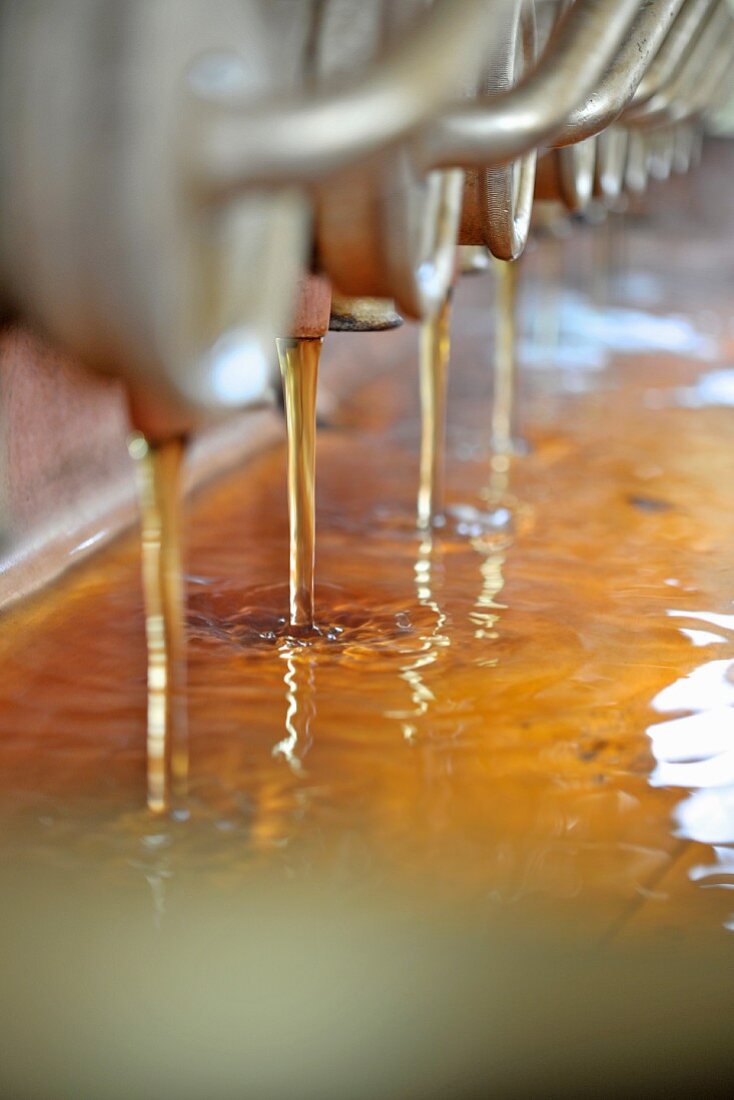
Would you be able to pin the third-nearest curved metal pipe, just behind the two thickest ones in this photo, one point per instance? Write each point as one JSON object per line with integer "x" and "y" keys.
{"x": 621, "y": 82}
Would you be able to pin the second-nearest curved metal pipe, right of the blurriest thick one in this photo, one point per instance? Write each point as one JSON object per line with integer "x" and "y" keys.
{"x": 503, "y": 128}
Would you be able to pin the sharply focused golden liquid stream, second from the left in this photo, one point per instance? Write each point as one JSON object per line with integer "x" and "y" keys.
{"x": 300, "y": 360}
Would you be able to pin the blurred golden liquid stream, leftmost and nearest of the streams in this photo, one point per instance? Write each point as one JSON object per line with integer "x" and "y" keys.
{"x": 159, "y": 480}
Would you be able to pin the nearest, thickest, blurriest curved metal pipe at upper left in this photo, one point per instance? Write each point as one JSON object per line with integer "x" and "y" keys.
{"x": 232, "y": 144}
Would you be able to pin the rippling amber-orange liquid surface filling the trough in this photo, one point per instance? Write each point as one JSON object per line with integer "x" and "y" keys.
{"x": 533, "y": 722}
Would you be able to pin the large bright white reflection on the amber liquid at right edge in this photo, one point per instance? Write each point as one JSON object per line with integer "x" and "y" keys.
{"x": 696, "y": 751}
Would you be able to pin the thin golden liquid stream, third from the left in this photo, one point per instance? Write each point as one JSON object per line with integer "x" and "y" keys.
{"x": 435, "y": 351}
